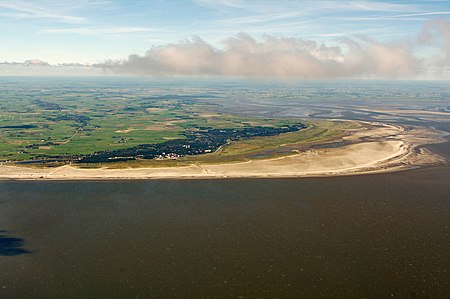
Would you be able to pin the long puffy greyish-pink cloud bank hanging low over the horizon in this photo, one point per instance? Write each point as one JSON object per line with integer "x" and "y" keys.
{"x": 287, "y": 57}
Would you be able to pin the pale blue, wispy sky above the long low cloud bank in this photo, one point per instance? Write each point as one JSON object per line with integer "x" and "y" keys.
{"x": 90, "y": 31}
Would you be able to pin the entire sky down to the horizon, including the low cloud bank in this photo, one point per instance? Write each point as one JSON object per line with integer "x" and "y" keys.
{"x": 288, "y": 39}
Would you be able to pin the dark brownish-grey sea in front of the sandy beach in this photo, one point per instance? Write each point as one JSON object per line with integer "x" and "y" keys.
{"x": 372, "y": 236}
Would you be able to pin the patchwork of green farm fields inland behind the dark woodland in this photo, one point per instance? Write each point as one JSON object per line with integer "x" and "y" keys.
{"x": 44, "y": 124}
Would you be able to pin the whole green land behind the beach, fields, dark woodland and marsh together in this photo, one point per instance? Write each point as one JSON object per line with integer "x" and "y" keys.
{"x": 94, "y": 123}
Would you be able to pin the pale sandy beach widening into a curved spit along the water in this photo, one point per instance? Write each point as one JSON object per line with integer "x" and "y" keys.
{"x": 375, "y": 147}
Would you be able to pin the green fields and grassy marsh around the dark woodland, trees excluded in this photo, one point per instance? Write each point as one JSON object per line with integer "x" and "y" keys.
{"x": 61, "y": 124}
